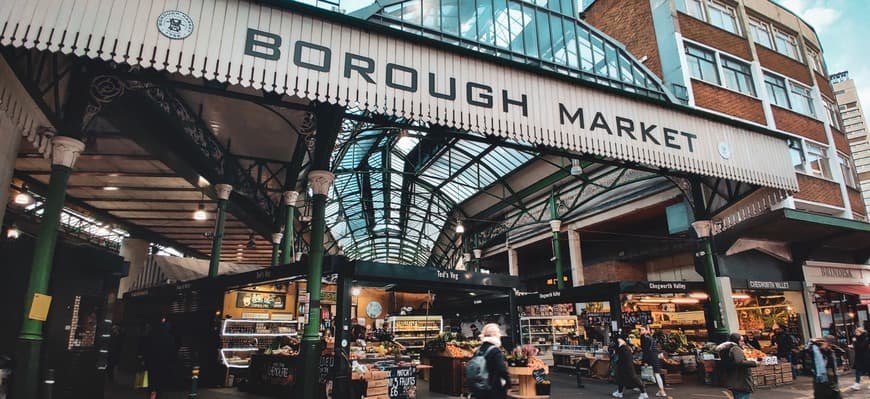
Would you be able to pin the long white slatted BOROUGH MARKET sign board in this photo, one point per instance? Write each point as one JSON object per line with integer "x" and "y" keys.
{"x": 300, "y": 53}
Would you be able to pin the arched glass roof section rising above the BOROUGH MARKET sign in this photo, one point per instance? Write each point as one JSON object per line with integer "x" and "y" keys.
{"x": 536, "y": 32}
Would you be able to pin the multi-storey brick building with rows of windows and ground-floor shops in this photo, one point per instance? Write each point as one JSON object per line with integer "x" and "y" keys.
{"x": 757, "y": 62}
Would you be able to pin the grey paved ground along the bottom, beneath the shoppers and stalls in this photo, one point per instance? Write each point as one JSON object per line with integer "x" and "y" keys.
{"x": 564, "y": 387}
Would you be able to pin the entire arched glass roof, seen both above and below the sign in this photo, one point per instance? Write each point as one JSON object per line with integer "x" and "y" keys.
{"x": 398, "y": 190}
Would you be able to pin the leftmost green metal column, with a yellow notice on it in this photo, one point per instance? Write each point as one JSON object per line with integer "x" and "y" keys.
{"x": 65, "y": 150}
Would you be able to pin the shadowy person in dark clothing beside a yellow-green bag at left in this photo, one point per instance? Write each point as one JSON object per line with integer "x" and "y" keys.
{"x": 159, "y": 353}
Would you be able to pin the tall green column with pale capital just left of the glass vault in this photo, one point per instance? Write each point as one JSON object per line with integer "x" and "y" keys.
{"x": 320, "y": 180}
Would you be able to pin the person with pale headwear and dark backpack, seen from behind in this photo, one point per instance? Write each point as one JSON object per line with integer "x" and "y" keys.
{"x": 486, "y": 373}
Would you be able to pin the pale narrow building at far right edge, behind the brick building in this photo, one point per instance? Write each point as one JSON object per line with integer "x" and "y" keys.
{"x": 855, "y": 126}
